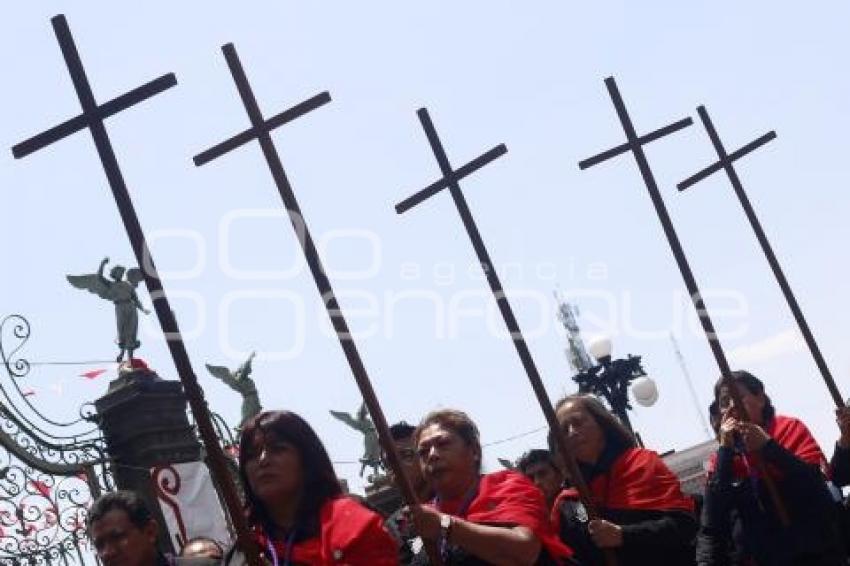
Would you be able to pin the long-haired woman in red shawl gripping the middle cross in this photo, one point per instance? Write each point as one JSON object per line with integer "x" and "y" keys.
{"x": 644, "y": 516}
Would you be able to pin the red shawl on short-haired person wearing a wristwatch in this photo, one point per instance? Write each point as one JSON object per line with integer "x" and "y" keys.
{"x": 509, "y": 498}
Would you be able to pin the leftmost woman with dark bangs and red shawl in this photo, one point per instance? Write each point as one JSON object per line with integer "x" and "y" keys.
{"x": 295, "y": 506}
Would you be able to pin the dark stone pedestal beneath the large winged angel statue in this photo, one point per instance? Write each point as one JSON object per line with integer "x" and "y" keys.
{"x": 145, "y": 424}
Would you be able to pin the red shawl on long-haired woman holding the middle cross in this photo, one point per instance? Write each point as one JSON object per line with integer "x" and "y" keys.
{"x": 638, "y": 479}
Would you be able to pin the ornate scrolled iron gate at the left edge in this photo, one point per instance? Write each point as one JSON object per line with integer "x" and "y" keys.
{"x": 50, "y": 471}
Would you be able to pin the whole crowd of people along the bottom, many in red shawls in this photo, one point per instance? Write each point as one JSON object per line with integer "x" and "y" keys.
{"x": 771, "y": 498}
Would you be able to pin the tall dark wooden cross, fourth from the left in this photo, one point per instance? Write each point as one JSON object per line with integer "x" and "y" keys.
{"x": 634, "y": 144}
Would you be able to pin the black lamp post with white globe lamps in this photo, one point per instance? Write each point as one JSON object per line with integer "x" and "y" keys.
{"x": 610, "y": 379}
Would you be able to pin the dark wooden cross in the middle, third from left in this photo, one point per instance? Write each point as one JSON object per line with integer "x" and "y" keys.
{"x": 450, "y": 180}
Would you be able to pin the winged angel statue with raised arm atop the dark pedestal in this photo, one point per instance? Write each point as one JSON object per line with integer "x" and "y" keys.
{"x": 122, "y": 292}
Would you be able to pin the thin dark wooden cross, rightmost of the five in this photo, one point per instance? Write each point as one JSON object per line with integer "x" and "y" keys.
{"x": 726, "y": 162}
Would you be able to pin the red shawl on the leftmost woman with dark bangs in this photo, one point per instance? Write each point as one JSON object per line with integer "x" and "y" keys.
{"x": 350, "y": 535}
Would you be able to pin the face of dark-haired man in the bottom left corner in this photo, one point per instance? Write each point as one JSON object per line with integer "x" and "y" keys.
{"x": 118, "y": 542}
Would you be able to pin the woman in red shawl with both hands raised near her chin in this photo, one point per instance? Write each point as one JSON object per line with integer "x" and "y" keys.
{"x": 741, "y": 524}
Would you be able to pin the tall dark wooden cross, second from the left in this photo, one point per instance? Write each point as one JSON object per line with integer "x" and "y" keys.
{"x": 260, "y": 131}
